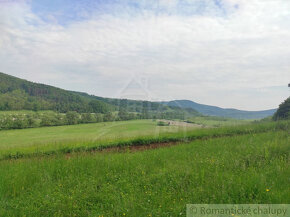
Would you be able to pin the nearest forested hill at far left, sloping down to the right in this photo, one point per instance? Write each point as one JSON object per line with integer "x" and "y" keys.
{"x": 19, "y": 94}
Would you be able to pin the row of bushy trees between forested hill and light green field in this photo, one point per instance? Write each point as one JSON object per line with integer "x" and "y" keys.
{"x": 49, "y": 118}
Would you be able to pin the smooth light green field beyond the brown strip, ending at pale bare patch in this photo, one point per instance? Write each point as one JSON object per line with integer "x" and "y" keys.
{"x": 51, "y": 138}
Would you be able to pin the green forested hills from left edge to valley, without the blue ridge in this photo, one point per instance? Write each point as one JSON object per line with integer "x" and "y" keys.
{"x": 20, "y": 94}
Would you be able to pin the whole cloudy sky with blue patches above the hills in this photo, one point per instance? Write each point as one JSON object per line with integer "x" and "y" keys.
{"x": 228, "y": 53}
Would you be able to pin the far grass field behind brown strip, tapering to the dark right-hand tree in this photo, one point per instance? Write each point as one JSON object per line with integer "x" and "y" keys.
{"x": 15, "y": 143}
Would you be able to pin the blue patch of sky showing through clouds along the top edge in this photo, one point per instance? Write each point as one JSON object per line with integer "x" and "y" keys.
{"x": 65, "y": 12}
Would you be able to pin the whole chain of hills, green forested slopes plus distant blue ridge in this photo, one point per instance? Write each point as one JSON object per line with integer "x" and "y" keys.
{"x": 20, "y": 94}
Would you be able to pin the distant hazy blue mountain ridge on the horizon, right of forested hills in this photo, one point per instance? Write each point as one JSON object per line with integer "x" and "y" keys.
{"x": 222, "y": 112}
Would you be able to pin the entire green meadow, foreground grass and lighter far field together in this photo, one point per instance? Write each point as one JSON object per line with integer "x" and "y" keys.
{"x": 247, "y": 163}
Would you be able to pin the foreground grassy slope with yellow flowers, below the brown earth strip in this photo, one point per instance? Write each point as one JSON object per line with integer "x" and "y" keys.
{"x": 159, "y": 182}
